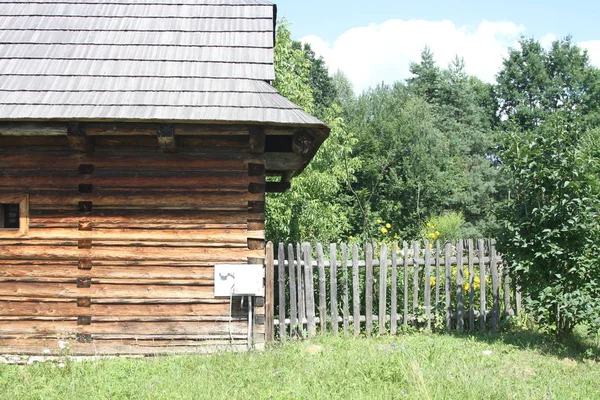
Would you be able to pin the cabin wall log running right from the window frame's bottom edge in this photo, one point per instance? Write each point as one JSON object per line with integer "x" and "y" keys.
{"x": 227, "y": 236}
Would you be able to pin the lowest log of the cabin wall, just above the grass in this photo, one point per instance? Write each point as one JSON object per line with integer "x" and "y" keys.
{"x": 50, "y": 347}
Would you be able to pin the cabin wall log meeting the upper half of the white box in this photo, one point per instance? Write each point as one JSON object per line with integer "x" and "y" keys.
{"x": 200, "y": 274}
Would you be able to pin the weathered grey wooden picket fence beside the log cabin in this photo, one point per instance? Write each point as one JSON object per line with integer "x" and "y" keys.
{"x": 460, "y": 286}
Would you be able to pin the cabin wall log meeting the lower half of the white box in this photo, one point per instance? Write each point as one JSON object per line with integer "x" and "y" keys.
{"x": 64, "y": 290}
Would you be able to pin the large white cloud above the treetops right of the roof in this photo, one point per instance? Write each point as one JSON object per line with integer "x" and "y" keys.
{"x": 382, "y": 52}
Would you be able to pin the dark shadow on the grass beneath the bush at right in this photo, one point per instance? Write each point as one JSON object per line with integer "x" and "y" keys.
{"x": 577, "y": 345}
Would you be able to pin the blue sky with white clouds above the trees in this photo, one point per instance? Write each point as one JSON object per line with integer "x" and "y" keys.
{"x": 373, "y": 41}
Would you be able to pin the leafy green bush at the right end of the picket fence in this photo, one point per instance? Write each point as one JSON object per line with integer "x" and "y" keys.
{"x": 551, "y": 230}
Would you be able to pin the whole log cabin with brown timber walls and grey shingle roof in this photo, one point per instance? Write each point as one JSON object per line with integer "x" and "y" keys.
{"x": 136, "y": 138}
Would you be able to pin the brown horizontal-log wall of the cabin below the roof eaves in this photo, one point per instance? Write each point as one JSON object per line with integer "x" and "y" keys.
{"x": 124, "y": 232}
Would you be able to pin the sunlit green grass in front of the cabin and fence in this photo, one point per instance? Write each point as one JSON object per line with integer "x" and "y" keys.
{"x": 412, "y": 366}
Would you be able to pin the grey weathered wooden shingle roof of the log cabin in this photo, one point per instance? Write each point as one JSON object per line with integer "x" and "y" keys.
{"x": 144, "y": 60}
